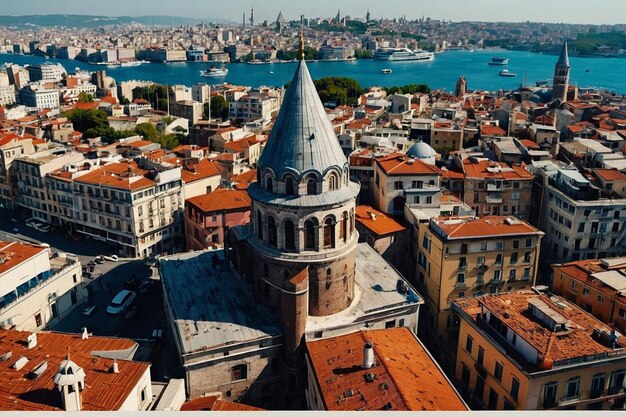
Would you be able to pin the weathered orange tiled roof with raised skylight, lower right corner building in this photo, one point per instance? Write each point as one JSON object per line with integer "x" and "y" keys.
{"x": 512, "y": 309}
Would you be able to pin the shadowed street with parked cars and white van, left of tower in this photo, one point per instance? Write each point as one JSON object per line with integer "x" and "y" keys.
{"x": 106, "y": 280}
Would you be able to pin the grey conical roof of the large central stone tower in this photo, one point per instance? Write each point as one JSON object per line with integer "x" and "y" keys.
{"x": 302, "y": 138}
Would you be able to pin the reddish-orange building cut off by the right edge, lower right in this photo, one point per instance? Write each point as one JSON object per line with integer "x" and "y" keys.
{"x": 596, "y": 285}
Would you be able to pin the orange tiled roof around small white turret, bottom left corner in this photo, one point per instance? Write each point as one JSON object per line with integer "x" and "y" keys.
{"x": 104, "y": 390}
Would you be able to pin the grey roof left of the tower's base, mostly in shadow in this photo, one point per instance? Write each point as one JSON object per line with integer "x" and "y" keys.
{"x": 212, "y": 308}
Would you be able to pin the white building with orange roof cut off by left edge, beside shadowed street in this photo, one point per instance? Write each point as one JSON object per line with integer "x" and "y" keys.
{"x": 36, "y": 289}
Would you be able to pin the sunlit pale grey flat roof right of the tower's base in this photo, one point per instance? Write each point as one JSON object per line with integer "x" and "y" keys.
{"x": 375, "y": 290}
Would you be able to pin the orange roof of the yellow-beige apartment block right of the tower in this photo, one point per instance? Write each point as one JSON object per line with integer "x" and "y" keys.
{"x": 487, "y": 226}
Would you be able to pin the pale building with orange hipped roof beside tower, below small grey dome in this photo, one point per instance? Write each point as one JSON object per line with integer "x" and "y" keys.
{"x": 401, "y": 179}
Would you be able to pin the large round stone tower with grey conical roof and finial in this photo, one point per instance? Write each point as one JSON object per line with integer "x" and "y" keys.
{"x": 303, "y": 237}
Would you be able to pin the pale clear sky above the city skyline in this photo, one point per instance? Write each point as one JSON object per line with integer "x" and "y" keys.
{"x": 562, "y": 11}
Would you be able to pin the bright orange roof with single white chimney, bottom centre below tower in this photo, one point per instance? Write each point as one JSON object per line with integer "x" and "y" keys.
{"x": 404, "y": 375}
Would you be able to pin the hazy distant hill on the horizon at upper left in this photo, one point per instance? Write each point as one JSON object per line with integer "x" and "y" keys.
{"x": 83, "y": 21}
